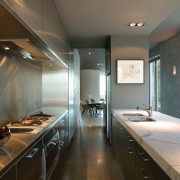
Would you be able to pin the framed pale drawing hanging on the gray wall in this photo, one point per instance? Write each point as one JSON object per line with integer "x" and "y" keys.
{"x": 130, "y": 71}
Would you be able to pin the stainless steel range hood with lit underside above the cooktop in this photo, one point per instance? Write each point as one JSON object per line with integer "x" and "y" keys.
{"x": 23, "y": 42}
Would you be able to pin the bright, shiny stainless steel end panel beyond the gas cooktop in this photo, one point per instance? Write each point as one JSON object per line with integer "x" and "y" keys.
{"x": 55, "y": 88}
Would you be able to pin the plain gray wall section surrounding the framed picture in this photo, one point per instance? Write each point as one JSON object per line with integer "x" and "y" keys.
{"x": 129, "y": 47}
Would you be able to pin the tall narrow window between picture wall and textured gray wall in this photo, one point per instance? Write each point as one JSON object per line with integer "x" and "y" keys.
{"x": 155, "y": 95}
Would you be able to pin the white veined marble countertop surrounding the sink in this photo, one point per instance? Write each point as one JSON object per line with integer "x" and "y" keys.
{"x": 160, "y": 138}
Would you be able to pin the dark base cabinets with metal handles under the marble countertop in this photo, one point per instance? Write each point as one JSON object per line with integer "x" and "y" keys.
{"x": 135, "y": 162}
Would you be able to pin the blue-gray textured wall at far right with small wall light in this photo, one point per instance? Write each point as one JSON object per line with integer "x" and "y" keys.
{"x": 170, "y": 85}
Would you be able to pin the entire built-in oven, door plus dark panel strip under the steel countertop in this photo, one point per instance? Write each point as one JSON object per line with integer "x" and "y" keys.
{"x": 50, "y": 152}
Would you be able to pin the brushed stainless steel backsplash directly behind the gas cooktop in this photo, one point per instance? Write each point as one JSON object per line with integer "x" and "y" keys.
{"x": 20, "y": 88}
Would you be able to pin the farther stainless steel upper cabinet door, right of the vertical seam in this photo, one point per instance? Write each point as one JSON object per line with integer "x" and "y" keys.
{"x": 54, "y": 34}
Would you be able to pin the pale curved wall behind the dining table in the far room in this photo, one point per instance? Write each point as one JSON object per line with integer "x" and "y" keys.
{"x": 89, "y": 84}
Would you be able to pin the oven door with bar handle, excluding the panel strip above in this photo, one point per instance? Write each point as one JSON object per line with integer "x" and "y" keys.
{"x": 50, "y": 156}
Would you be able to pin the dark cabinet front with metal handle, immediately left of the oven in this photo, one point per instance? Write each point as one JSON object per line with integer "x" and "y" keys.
{"x": 30, "y": 165}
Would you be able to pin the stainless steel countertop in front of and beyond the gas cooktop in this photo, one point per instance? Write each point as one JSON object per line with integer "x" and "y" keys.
{"x": 19, "y": 144}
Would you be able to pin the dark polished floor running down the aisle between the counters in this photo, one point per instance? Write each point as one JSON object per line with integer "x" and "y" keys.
{"x": 90, "y": 157}
